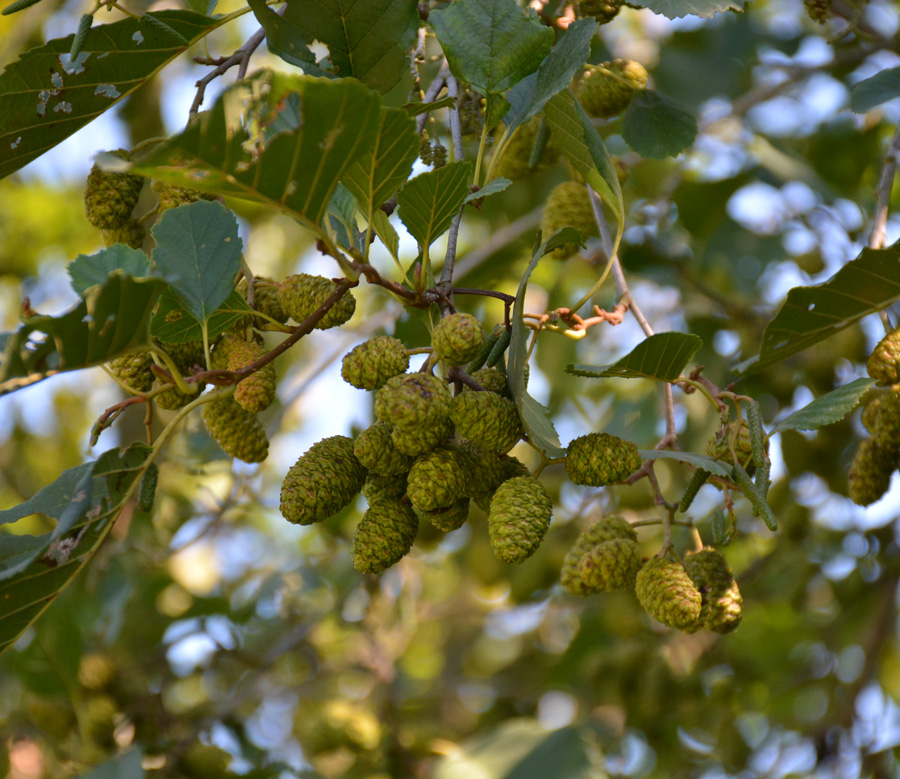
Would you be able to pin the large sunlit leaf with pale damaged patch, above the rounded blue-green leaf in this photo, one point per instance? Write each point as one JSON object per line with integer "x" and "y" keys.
{"x": 322, "y": 127}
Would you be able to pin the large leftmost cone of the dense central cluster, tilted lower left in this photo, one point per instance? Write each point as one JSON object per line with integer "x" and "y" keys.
{"x": 322, "y": 482}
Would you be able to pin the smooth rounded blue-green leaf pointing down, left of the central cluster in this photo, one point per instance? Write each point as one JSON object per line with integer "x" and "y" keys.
{"x": 198, "y": 251}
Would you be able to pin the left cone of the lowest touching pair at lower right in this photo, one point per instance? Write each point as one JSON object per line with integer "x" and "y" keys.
{"x": 668, "y": 594}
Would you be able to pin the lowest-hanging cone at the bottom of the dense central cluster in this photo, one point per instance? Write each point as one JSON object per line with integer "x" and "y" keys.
{"x": 384, "y": 536}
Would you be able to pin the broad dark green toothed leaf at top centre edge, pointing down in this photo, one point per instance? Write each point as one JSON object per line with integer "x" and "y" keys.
{"x": 492, "y": 44}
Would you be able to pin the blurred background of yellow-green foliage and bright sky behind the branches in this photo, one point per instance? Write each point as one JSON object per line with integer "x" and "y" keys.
{"x": 210, "y": 638}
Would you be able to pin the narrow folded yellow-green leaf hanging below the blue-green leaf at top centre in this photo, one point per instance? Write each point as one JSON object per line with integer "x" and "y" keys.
{"x": 575, "y": 135}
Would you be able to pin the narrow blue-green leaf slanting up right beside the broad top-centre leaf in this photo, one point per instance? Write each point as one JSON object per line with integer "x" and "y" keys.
{"x": 566, "y": 58}
